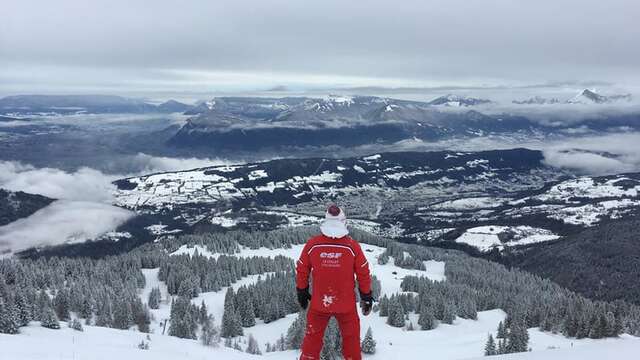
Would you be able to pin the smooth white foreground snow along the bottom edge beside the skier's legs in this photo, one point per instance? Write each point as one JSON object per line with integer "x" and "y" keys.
{"x": 462, "y": 340}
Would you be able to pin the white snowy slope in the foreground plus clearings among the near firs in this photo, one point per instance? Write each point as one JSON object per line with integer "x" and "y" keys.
{"x": 464, "y": 339}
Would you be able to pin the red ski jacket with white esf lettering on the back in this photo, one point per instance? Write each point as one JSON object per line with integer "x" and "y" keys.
{"x": 333, "y": 265}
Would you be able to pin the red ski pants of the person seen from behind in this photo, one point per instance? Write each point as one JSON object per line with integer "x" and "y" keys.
{"x": 349, "y": 324}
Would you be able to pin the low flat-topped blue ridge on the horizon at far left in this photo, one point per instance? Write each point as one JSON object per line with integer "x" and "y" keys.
{"x": 24, "y": 105}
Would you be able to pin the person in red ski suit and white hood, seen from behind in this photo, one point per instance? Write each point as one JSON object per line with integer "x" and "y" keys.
{"x": 333, "y": 260}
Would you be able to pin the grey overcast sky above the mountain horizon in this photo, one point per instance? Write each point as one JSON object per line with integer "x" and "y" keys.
{"x": 245, "y": 45}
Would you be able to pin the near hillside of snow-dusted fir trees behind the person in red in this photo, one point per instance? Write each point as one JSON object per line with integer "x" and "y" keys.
{"x": 106, "y": 292}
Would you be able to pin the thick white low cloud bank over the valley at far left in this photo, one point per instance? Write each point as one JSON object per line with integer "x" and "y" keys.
{"x": 83, "y": 210}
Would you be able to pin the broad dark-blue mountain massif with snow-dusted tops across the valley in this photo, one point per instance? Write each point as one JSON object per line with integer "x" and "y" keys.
{"x": 235, "y": 124}
